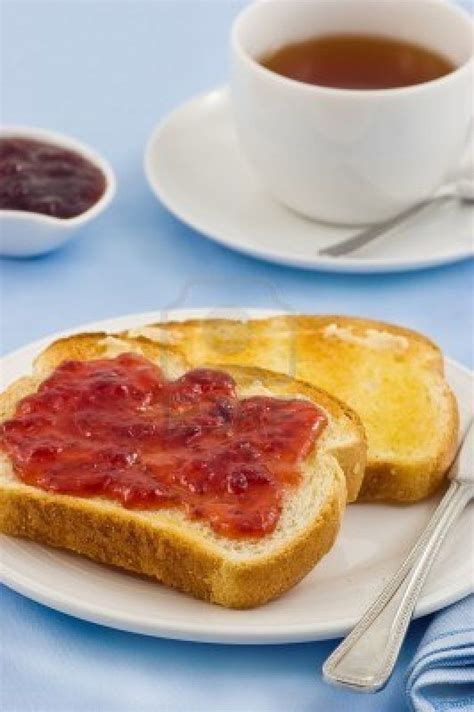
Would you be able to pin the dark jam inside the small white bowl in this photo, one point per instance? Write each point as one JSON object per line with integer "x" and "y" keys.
{"x": 43, "y": 178}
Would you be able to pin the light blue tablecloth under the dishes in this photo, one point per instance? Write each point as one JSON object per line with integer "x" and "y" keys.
{"x": 105, "y": 72}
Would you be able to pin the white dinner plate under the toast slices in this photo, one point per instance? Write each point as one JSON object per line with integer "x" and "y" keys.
{"x": 374, "y": 539}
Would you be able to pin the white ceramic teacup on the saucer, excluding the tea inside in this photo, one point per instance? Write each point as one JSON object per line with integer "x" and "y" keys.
{"x": 350, "y": 156}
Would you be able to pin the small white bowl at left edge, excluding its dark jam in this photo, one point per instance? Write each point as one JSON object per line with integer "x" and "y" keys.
{"x": 25, "y": 234}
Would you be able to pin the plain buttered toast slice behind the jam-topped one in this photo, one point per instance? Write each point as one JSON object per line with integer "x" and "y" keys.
{"x": 392, "y": 377}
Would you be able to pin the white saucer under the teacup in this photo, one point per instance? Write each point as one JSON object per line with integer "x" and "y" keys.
{"x": 194, "y": 165}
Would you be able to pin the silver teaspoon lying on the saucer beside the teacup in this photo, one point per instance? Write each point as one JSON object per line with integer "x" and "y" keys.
{"x": 463, "y": 191}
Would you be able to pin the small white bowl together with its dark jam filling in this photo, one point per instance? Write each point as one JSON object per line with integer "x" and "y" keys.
{"x": 50, "y": 186}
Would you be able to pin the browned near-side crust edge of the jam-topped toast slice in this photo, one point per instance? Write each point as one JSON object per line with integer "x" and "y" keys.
{"x": 167, "y": 553}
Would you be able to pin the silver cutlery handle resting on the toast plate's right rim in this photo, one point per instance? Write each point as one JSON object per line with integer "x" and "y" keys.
{"x": 366, "y": 657}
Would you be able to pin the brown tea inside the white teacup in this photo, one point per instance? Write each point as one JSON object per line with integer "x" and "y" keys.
{"x": 357, "y": 62}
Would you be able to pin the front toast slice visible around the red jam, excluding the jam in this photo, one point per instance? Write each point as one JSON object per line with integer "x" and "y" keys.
{"x": 166, "y": 544}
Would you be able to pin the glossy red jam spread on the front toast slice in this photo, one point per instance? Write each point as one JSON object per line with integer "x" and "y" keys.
{"x": 117, "y": 428}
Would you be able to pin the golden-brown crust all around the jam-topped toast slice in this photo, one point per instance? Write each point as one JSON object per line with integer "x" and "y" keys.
{"x": 160, "y": 547}
